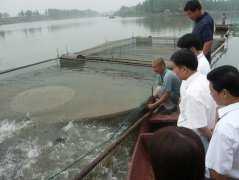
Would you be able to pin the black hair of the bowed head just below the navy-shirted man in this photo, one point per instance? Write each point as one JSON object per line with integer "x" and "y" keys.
{"x": 190, "y": 40}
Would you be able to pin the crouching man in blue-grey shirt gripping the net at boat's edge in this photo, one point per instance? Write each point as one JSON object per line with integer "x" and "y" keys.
{"x": 168, "y": 87}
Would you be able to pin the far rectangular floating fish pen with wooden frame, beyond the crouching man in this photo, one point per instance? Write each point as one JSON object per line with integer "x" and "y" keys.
{"x": 132, "y": 51}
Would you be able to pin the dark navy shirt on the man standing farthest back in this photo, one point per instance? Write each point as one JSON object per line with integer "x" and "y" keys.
{"x": 204, "y": 27}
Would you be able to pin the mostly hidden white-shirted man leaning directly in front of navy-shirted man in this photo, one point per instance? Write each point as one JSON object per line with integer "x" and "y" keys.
{"x": 192, "y": 42}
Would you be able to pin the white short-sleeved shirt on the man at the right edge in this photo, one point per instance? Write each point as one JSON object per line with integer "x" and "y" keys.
{"x": 223, "y": 152}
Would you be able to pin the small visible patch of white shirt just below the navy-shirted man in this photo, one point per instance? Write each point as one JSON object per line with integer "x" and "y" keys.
{"x": 203, "y": 64}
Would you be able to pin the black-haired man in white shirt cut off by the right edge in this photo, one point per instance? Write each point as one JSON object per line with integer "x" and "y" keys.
{"x": 223, "y": 153}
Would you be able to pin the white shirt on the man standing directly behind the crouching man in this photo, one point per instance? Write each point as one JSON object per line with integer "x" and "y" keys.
{"x": 197, "y": 107}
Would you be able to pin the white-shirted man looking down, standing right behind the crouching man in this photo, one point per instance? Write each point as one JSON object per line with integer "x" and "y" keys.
{"x": 197, "y": 108}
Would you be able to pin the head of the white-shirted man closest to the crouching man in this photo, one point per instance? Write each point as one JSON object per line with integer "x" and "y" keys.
{"x": 185, "y": 63}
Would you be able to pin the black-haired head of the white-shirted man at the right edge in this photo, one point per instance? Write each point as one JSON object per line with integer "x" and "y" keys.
{"x": 224, "y": 84}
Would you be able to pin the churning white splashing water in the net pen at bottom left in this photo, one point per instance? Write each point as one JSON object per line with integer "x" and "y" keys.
{"x": 40, "y": 152}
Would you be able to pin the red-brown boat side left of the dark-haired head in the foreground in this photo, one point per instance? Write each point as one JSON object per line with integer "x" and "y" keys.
{"x": 140, "y": 165}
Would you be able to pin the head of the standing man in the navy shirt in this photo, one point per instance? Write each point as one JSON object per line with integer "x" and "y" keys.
{"x": 193, "y": 9}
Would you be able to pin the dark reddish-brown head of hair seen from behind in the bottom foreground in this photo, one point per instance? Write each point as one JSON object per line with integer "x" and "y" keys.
{"x": 177, "y": 153}
